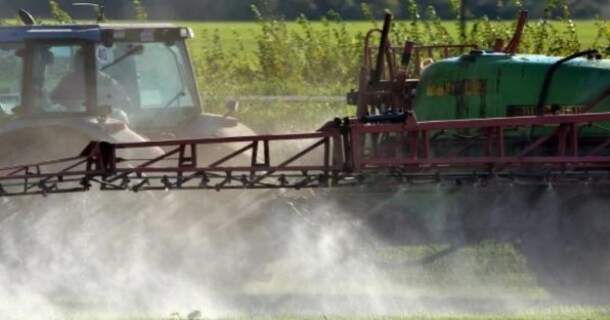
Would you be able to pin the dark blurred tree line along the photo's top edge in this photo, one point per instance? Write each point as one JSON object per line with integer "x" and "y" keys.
{"x": 290, "y": 9}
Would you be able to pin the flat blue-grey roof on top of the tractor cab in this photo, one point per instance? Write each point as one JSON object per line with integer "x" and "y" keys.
{"x": 86, "y": 32}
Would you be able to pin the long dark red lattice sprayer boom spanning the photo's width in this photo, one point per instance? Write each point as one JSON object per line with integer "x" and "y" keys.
{"x": 342, "y": 153}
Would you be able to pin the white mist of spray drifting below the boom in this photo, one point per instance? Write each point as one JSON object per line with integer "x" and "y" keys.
{"x": 152, "y": 254}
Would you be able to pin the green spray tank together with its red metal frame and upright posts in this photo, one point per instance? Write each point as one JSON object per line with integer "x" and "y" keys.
{"x": 446, "y": 82}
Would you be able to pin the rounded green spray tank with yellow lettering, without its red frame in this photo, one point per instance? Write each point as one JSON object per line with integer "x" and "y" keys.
{"x": 484, "y": 85}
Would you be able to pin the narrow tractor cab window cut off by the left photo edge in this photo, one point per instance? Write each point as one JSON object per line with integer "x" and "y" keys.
{"x": 11, "y": 65}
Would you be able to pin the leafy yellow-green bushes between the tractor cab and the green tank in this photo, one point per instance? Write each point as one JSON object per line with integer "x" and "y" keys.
{"x": 284, "y": 59}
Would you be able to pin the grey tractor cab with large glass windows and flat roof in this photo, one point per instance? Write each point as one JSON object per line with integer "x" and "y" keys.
{"x": 139, "y": 74}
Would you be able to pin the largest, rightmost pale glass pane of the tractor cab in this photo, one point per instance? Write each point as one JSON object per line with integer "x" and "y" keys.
{"x": 153, "y": 75}
